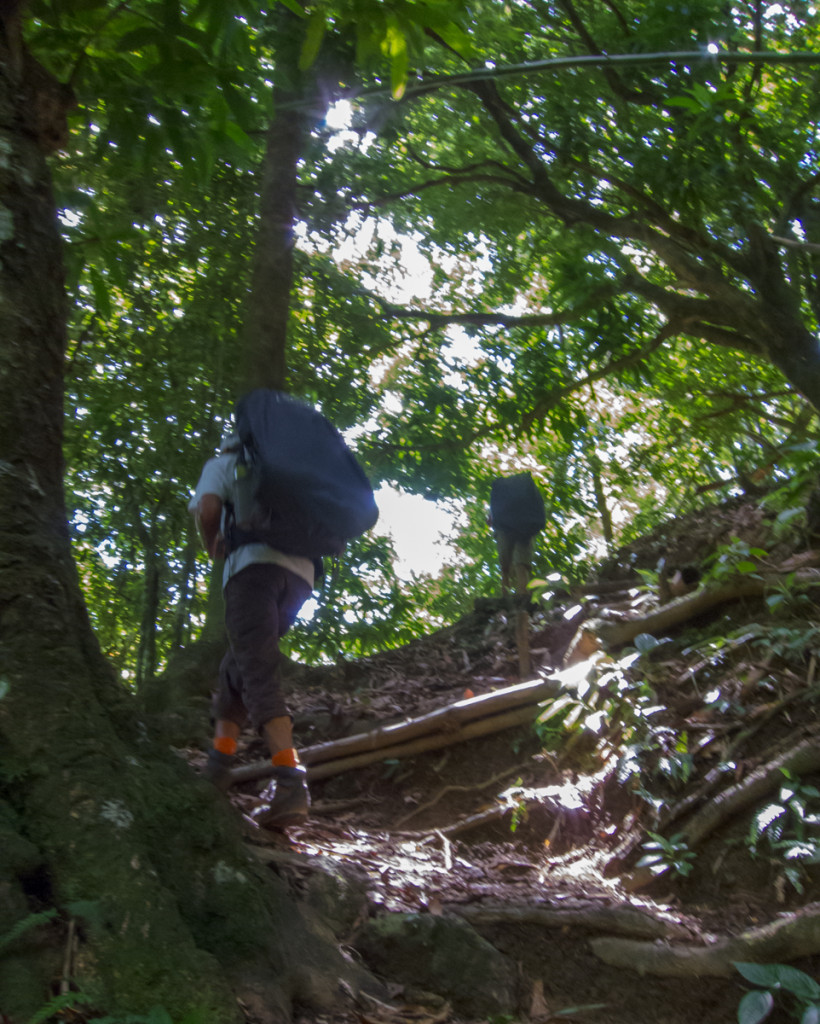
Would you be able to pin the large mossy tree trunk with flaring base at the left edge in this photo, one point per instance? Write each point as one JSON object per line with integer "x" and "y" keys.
{"x": 97, "y": 820}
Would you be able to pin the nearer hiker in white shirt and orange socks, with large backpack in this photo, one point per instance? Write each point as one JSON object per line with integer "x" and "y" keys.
{"x": 284, "y": 492}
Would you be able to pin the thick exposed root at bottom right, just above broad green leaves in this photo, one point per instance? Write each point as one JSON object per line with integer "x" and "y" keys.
{"x": 787, "y": 940}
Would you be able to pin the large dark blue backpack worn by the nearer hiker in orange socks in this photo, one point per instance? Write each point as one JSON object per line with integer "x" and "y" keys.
{"x": 299, "y": 488}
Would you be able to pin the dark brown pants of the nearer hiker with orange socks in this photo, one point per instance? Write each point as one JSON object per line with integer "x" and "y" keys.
{"x": 262, "y": 605}
